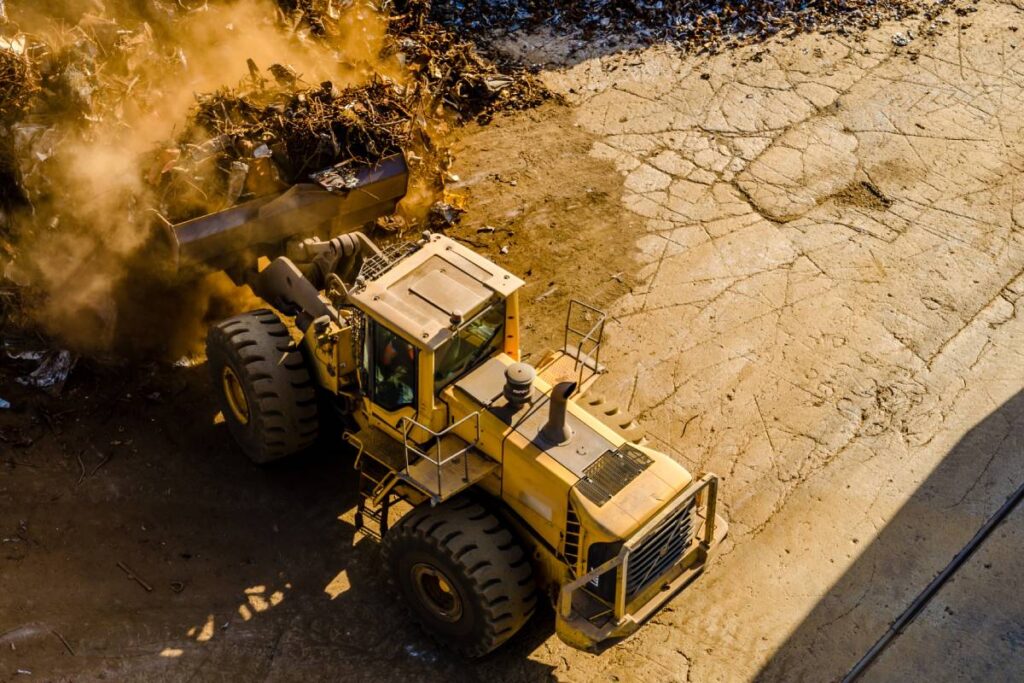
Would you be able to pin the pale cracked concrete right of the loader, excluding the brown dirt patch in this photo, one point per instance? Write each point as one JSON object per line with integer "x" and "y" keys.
{"x": 831, "y": 275}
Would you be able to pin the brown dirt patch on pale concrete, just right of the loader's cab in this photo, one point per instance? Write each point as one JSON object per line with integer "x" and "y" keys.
{"x": 542, "y": 208}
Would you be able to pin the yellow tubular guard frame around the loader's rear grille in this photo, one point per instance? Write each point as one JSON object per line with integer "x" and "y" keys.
{"x": 705, "y": 494}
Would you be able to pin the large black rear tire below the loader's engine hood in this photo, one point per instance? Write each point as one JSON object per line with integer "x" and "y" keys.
{"x": 464, "y": 576}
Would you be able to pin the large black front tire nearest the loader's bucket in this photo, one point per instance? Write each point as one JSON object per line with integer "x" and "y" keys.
{"x": 270, "y": 405}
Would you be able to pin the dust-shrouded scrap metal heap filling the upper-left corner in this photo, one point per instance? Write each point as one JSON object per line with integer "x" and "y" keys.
{"x": 98, "y": 151}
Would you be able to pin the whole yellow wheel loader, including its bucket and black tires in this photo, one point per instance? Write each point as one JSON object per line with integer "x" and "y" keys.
{"x": 516, "y": 487}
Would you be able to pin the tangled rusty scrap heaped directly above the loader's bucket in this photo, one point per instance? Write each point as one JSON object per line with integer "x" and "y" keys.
{"x": 263, "y": 141}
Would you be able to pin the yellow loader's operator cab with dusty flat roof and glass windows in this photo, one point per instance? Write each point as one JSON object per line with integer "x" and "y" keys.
{"x": 436, "y": 311}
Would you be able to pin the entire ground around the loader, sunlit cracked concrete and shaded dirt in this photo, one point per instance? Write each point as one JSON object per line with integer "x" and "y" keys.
{"x": 812, "y": 251}
